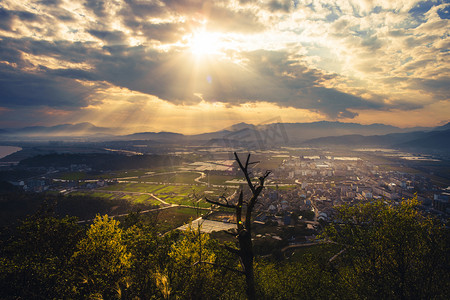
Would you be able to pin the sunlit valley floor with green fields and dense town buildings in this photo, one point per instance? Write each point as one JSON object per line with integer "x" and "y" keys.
{"x": 304, "y": 182}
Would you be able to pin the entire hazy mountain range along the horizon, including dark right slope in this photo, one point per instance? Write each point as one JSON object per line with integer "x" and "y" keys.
{"x": 323, "y": 133}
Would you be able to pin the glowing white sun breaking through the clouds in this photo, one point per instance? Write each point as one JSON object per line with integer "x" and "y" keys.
{"x": 205, "y": 43}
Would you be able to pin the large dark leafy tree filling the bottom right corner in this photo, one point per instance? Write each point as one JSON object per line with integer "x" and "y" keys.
{"x": 391, "y": 251}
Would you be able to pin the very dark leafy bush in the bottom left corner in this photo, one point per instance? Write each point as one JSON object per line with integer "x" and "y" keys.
{"x": 35, "y": 257}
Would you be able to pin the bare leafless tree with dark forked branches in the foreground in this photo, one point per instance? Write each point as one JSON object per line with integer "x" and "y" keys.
{"x": 244, "y": 228}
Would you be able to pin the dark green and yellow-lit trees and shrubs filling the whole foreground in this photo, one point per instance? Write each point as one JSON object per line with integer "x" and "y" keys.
{"x": 375, "y": 250}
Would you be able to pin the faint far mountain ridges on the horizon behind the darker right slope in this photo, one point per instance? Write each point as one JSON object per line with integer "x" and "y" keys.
{"x": 265, "y": 135}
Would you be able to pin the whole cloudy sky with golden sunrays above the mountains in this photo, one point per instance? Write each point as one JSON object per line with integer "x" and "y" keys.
{"x": 197, "y": 66}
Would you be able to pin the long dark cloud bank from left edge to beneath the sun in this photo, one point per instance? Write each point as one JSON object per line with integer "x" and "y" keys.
{"x": 272, "y": 76}
